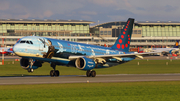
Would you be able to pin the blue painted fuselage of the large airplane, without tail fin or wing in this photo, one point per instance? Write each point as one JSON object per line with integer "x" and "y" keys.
{"x": 54, "y": 50}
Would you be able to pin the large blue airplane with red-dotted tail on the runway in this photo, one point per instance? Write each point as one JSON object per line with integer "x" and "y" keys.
{"x": 36, "y": 50}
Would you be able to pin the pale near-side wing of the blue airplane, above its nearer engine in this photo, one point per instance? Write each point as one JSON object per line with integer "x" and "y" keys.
{"x": 116, "y": 56}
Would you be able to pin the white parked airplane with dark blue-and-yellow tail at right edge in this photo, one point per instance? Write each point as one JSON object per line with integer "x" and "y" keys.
{"x": 166, "y": 51}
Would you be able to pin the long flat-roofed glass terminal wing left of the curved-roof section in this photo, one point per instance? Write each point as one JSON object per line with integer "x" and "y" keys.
{"x": 12, "y": 29}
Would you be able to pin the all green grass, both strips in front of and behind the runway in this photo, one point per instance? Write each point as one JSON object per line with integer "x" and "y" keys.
{"x": 131, "y": 91}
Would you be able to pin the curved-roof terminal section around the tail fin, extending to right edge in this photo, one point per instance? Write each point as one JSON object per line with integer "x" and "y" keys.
{"x": 145, "y": 34}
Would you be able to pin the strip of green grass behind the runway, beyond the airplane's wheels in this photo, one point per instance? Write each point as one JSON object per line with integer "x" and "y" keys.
{"x": 144, "y": 67}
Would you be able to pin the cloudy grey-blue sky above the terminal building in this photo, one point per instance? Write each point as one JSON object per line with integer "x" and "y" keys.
{"x": 98, "y": 11}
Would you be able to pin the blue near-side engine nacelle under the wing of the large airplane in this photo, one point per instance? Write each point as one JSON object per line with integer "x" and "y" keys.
{"x": 84, "y": 63}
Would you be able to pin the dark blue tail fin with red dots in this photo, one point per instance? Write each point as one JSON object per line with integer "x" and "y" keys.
{"x": 123, "y": 41}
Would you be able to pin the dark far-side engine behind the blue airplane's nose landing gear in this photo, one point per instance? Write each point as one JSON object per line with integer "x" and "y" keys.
{"x": 25, "y": 64}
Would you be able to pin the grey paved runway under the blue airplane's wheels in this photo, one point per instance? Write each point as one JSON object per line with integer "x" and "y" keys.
{"x": 84, "y": 79}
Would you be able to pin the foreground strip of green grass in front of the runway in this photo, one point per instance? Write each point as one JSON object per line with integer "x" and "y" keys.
{"x": 132, "y": 91}
